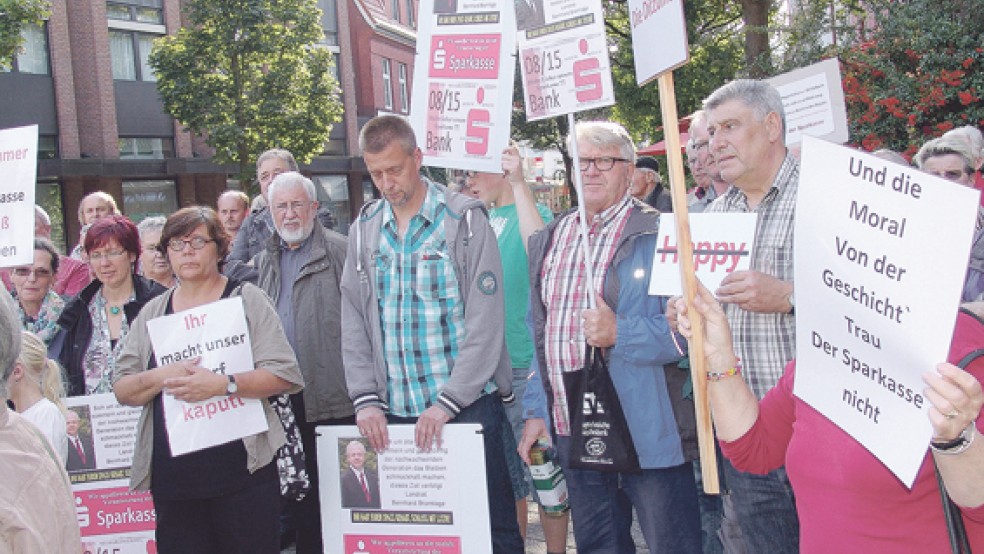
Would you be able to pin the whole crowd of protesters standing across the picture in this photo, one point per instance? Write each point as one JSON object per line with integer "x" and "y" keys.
{"x": 442, "y": 308}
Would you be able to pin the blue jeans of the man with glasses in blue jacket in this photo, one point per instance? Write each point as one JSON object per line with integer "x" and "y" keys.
{"x": 665, "y": 501}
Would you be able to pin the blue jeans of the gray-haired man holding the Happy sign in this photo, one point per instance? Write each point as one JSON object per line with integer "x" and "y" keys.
{"x": 766, "y": 510}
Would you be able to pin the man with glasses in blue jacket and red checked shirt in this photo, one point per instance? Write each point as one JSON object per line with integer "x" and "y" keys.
{"x": 629, "y": 326}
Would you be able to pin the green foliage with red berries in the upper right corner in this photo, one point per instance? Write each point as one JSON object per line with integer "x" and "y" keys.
{"x": 917, "y": 74}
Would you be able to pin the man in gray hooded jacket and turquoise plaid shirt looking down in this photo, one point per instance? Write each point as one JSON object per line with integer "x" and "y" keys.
{"x": 423, "y": 310}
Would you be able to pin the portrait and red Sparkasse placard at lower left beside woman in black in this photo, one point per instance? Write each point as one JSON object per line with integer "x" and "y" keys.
{"x": 102, "y": 434}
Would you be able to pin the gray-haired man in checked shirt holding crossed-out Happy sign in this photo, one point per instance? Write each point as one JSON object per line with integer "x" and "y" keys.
{"x": 747, "y": 127}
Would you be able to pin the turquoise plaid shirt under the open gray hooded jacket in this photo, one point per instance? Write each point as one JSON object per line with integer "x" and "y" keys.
{"x": 420, "y": 307}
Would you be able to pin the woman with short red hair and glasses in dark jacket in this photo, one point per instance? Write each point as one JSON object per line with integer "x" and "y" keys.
{"x": 95, "y": 323}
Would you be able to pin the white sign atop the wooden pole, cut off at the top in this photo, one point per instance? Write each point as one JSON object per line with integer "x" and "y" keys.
{"x": 659, "y": 37}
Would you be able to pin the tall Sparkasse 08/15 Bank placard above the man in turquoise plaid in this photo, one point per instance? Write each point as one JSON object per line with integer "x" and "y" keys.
{"x": 463, "y": 82}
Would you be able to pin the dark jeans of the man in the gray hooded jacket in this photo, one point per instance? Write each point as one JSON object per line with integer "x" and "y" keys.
{"x": 488, "y": 412}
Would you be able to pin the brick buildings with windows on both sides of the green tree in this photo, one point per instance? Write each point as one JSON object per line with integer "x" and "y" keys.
{"x": 84, "y": 79}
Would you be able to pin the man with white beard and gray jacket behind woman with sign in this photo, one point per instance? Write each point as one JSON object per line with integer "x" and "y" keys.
{"x": 301, "y": 269}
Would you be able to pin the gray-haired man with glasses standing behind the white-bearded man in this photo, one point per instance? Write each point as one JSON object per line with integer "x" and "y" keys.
{"x": 258, "y": 226}
